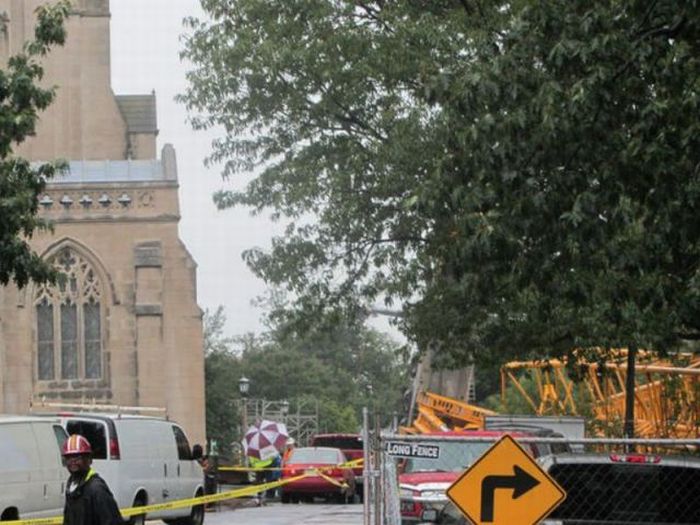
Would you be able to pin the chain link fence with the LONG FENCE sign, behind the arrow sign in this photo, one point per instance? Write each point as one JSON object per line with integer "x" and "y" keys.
{"x": 620, "y": 481}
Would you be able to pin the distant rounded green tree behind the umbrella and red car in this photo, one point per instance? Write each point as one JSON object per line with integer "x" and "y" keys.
{"x": 343, "y": 368}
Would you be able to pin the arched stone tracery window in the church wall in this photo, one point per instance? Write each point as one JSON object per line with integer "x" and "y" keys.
{"x": 69, "y": 322}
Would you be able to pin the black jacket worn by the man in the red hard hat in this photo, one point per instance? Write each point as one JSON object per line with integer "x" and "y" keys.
{"x": 91, "y": 503}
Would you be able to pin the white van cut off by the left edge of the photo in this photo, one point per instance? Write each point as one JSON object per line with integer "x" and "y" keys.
{"x": 32, "y": 476}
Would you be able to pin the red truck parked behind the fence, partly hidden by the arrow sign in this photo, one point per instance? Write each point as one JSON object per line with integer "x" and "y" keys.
{"x": 423, "y": 482}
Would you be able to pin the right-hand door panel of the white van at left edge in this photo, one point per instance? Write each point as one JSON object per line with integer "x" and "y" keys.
{"x": 49, "y": 438}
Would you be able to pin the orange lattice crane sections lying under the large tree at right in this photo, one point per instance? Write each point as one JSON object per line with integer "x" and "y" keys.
{"x": 667, "y": 392}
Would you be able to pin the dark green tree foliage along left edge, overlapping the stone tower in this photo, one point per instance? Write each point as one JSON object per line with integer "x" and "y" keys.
{"x": 21, "y": 101}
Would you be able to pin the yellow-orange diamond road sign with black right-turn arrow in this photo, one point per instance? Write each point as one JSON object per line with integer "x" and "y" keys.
{"x": 505, "y": 486}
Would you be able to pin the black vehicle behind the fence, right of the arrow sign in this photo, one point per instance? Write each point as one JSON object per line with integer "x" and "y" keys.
{"x": 615, "y": 488}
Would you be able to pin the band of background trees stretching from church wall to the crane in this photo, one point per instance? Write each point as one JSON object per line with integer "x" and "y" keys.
{"x": 339, "y": 370}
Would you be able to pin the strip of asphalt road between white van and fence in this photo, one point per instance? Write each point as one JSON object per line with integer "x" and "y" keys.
{"x": 279, "y": 514}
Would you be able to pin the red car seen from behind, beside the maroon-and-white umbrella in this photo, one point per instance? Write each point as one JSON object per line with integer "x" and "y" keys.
{"x": 305, "y": 459}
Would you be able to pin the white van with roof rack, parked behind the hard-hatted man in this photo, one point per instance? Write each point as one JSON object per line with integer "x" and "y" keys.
{"x": 144, "y": 460}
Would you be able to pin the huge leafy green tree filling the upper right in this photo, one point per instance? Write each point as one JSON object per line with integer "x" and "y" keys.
{"x": 519, "y": 176}
